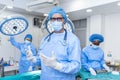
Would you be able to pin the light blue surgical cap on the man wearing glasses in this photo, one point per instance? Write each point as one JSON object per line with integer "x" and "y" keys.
{"x": 58, "y": 10}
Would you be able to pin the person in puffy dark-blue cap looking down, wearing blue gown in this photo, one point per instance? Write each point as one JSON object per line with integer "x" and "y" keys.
{"x": 93, "y": 56}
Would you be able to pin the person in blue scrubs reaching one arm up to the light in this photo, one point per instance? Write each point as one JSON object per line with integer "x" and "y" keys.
{"x": 27, "y": 49}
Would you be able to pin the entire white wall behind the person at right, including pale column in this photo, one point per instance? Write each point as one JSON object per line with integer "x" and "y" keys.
{"x": 109, "y": 26}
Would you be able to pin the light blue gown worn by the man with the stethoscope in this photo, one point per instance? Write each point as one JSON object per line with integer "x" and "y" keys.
{"x": 68, "y": 55}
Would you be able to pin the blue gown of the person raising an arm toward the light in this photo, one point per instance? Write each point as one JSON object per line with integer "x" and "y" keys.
{"x": 24, "y": 64}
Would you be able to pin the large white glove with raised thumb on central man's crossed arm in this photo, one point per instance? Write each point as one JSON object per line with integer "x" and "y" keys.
{"x": 51, "y": 61}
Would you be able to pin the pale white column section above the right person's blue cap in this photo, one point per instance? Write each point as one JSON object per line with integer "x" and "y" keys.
{"x": 95, "y": 24}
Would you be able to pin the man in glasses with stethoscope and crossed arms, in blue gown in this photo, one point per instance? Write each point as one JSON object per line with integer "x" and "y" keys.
{"x": 60, "y": 59}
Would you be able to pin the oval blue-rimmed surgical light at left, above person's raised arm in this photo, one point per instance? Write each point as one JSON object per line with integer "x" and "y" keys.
{"x": 13, "y": 25}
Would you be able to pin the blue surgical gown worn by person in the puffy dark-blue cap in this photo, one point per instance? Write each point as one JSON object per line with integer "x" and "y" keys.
{"x": 92, "y": 58}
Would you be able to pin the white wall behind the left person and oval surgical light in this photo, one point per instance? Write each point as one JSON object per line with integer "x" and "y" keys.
{"x": 7, "y": 50}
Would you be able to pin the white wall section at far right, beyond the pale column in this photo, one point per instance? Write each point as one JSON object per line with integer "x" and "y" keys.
{"x": 112, "y": 37}
